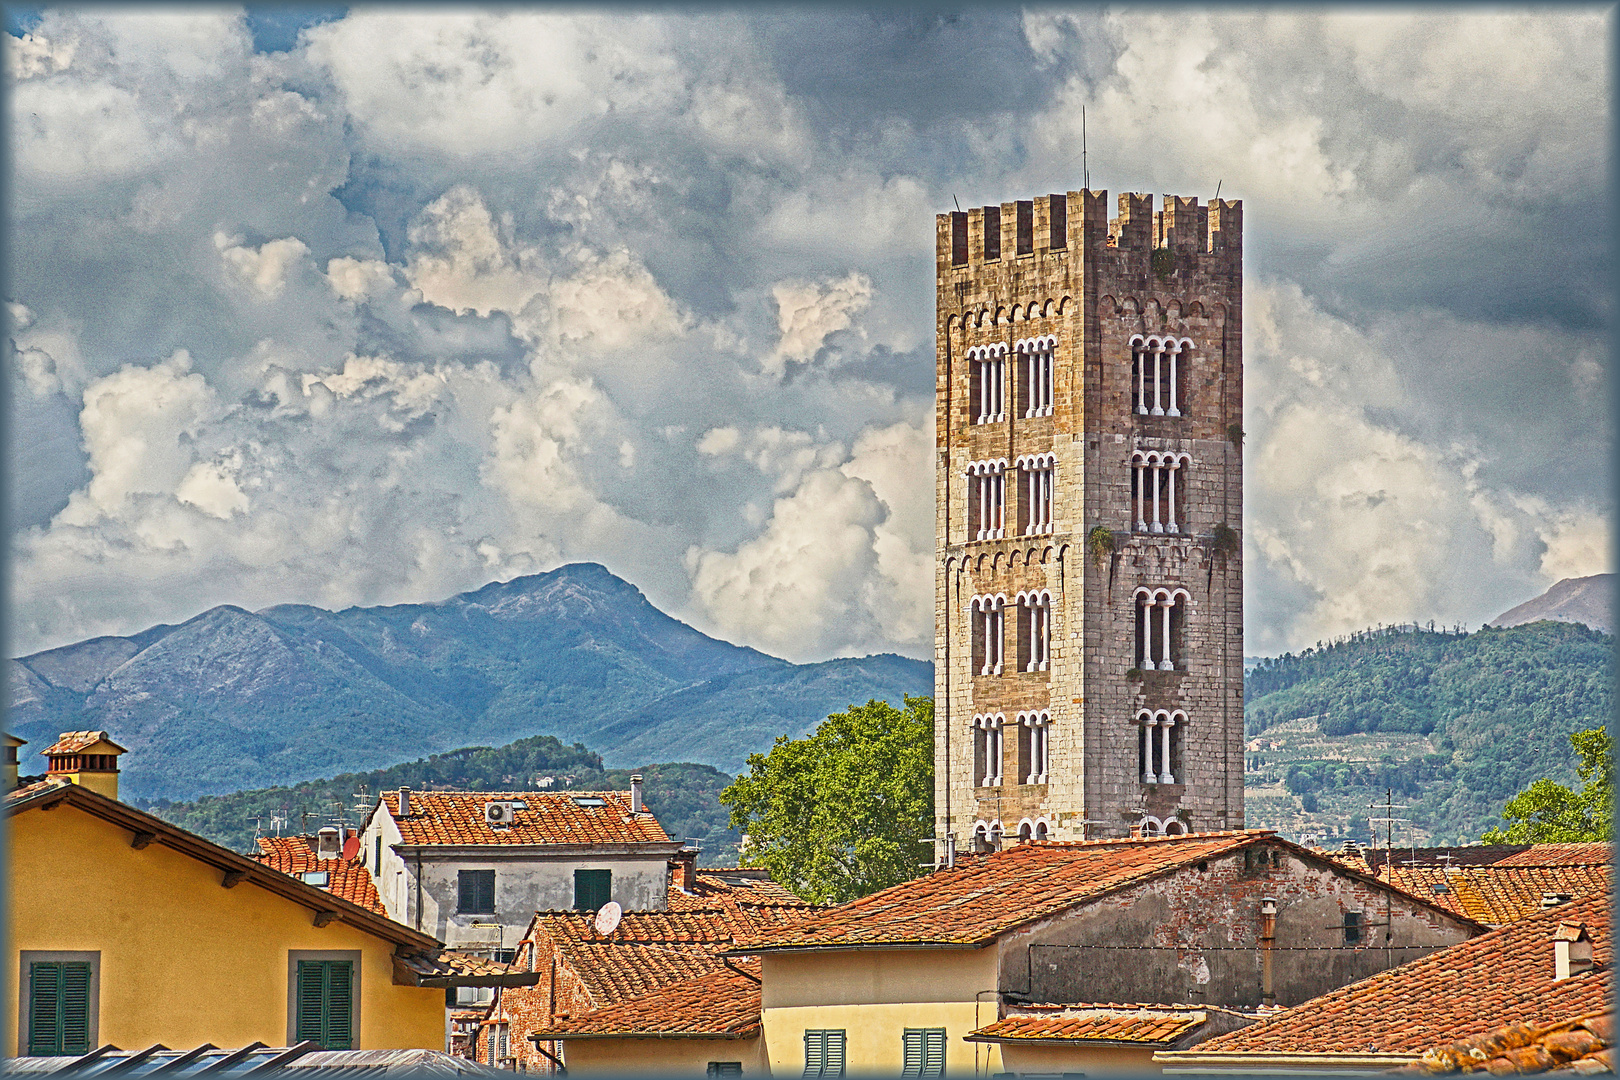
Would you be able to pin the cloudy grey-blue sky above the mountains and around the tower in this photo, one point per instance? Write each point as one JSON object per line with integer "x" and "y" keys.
{"x": 378, "y": 305}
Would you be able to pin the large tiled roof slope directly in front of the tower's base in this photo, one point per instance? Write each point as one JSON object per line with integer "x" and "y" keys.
{"x": 987, "y": 896}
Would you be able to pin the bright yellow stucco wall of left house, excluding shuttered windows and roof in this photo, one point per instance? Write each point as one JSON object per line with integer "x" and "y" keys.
{"x": 181, "y": 959}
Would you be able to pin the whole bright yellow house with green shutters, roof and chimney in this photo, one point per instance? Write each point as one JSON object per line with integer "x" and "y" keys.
{"x": 132, "y": 932}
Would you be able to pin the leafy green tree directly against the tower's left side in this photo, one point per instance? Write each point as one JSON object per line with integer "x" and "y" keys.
{"x": 845, "y": 810}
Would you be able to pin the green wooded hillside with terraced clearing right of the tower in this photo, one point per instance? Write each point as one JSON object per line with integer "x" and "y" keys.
{"x": 1456, "y": 723}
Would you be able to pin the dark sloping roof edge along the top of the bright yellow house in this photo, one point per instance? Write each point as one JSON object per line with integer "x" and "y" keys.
{"x": 234, "y": 867}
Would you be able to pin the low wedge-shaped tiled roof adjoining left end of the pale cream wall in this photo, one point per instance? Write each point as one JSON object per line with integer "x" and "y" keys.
{"x": 718, "y": 1005}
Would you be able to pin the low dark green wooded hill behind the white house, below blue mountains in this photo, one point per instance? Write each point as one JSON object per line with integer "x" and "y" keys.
{"x": 683, "y": 796}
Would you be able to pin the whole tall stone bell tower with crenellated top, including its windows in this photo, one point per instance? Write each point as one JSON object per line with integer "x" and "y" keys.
{"x": 1089, "y": 519}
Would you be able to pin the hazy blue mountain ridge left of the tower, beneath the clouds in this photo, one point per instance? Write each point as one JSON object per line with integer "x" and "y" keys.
{"x": 245, "y": 700}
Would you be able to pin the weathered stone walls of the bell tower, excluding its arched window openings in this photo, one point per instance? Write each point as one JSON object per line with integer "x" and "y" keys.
{"x": 1093, "y": 291}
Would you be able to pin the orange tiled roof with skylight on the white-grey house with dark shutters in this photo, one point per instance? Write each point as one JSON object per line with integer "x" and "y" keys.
{"x": 458, "y": 819}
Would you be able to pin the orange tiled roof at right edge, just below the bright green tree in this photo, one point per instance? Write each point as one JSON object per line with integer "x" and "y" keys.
{"x": 1498, "y": 893}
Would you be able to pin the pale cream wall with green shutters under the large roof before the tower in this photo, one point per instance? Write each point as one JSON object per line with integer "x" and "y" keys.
{"x": 874, "y": 995}
